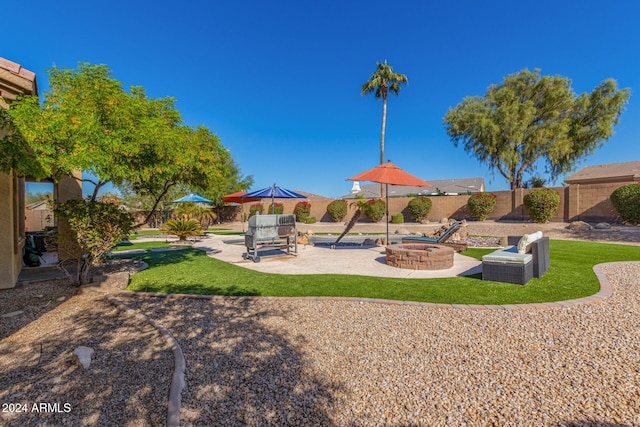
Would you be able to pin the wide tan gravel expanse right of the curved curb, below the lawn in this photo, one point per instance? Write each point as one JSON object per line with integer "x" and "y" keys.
{"x": 274, "y": 362}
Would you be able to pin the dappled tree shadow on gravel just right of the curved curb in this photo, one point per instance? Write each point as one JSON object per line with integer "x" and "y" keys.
{"x": 241, "y": 369}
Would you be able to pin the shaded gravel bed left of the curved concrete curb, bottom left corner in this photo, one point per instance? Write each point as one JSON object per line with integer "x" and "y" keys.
{"x": 126, "y": 385}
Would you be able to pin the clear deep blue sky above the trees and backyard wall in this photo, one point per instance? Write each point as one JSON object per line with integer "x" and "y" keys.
{"x": 279, "y": 82}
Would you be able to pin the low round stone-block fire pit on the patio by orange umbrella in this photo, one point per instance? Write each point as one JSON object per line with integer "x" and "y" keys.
{"x": 420, "y": 256}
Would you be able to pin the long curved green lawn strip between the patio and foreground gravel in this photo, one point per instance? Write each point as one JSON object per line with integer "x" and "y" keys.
{"x": 571, "y": 276}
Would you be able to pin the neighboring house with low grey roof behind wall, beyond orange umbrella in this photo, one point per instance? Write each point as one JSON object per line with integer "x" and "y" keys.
{"x": 438, "y": 187}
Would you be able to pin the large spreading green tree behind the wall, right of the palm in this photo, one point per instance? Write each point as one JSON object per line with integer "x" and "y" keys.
{"x": 529, "y": 117}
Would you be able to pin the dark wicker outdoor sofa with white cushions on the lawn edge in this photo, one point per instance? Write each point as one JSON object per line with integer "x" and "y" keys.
{"x": 526, "y": 257}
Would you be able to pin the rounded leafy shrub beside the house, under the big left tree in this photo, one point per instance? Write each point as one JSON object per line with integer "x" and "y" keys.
{"x": 94, "y": 228}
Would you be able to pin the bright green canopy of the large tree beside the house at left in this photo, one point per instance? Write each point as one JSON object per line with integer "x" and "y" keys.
{"x": 89, "y": 122}
